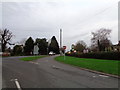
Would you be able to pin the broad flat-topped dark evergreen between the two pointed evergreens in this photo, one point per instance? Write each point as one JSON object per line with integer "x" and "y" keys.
{"x": 42, "y": 44}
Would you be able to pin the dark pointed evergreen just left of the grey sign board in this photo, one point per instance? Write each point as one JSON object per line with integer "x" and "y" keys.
{"x": 29, "y": 45}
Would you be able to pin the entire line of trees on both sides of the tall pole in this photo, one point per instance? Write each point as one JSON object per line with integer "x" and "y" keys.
{"x": 99, "y": 41}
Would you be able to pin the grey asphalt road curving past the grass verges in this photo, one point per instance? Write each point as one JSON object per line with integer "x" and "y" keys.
{"x": 48, "y": 73}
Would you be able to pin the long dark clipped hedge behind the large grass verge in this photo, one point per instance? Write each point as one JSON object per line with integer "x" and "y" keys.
{"x": 98, "y": 55}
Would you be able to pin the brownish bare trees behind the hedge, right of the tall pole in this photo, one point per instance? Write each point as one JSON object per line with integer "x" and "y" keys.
{"x": 99, "y": 42}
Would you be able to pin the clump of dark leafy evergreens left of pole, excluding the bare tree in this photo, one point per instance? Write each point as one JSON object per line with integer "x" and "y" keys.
{"x": 43, "y": 46}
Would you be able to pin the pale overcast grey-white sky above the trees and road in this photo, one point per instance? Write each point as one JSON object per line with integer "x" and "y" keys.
{"x": 45, "y": 18}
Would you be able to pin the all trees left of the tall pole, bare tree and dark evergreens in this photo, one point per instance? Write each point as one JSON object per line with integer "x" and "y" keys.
{"x": 27, "y": 47}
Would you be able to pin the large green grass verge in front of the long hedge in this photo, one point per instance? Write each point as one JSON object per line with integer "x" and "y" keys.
{"x": 106, "y": 66}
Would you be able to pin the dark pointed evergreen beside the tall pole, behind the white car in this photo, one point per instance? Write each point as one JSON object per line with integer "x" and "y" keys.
{"x": 54, "y": 45}
